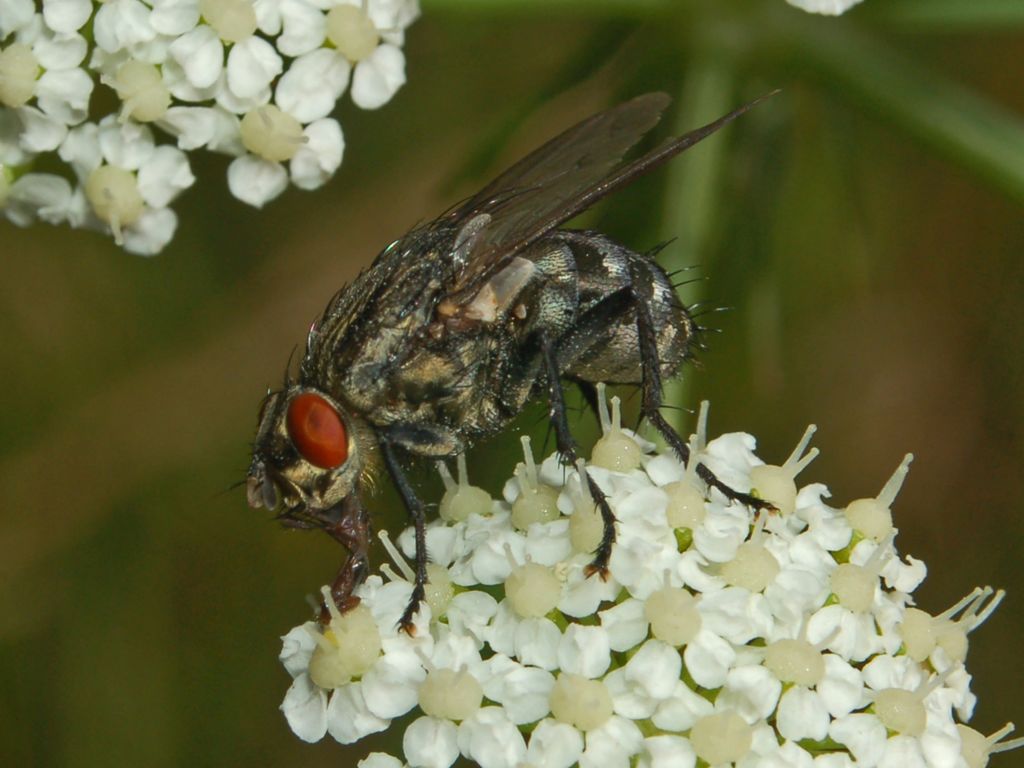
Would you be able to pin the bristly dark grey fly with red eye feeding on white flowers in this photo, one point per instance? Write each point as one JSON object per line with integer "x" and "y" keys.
{"x": 462, "y": 322}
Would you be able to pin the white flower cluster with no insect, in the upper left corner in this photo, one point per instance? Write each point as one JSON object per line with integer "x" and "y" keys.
{"x": 255, "y": 79}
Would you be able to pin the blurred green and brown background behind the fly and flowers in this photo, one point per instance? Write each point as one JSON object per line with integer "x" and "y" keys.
{"x": 864, "y": 227}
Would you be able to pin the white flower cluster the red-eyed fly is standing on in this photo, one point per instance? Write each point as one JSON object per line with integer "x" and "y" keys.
{"x": 722, "y": 636}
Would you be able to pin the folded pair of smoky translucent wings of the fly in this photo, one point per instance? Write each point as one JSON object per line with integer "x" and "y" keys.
{"x": 557, "y": 183}
